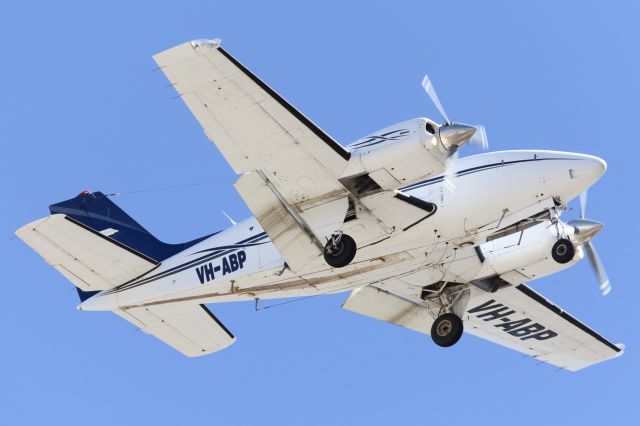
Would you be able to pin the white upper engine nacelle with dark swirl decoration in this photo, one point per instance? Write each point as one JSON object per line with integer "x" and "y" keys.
{"x": 398, "y": 155}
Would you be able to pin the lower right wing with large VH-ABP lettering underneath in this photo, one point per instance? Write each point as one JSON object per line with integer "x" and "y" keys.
{"x": 515, "y": 316}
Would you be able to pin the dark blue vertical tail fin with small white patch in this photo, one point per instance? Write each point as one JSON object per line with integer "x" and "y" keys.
{"x": 99, "y": 213}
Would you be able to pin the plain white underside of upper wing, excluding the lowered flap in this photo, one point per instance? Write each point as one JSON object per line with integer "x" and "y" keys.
{"x": 253, "y": 127}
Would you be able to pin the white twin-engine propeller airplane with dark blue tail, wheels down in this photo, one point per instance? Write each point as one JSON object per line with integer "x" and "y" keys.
{"x": 418, "y": 236}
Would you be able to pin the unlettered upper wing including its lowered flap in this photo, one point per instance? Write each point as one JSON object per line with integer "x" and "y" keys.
{"x": 255, "y": 129}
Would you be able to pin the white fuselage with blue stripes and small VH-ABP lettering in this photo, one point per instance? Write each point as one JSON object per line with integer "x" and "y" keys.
{"x": 492, "y": 190}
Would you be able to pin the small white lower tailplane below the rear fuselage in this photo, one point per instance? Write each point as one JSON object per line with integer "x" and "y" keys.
{"x": 188, "y": 328}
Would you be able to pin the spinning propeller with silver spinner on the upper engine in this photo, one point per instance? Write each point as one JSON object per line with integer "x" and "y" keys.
{"x": 454, "y": 135}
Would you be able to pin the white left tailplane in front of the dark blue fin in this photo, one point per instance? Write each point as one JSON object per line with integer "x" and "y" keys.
{"x": 90, "y": 260}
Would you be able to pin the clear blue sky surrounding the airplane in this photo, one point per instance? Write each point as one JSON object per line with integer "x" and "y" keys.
{"x": 81, "y": 108}
